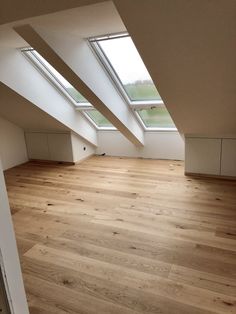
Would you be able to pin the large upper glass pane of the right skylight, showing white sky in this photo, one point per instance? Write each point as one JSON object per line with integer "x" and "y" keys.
{"x": 129, "y": 68}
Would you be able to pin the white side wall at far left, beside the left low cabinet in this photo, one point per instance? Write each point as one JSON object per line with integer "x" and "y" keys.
{"x": 12, "y": 144}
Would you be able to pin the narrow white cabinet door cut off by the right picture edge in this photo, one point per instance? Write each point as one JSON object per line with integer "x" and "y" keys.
{"x": 228, "y": 159}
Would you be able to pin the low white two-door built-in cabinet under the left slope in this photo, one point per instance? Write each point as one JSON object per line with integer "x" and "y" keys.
{"x": 49, "y": 146}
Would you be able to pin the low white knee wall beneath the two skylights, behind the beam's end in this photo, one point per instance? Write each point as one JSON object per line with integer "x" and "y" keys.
{"x": 158, "y": 145}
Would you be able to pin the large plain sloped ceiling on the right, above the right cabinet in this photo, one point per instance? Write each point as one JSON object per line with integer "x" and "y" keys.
{"x": 189, "y": 48}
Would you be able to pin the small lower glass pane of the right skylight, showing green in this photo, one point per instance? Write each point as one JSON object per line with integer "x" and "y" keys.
{"x": 156, "y": 117}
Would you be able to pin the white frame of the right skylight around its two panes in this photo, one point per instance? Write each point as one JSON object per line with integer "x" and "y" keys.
{"x": 114, "y": 77}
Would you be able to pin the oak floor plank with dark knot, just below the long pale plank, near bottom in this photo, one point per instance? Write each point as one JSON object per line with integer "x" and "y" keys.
{"x": 111, "y": 291}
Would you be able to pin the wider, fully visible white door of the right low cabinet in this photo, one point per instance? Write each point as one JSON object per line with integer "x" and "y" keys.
{"x": 202, "y": 155}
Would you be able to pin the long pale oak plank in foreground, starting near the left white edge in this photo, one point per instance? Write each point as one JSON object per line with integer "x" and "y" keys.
{"x": 148, "y": 283}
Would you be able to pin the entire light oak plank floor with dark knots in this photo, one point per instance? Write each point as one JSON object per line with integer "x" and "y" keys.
{"x": 124, "y": 236}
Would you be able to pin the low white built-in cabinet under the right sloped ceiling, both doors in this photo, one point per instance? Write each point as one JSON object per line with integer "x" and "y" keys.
{"x": 214, "y": 156}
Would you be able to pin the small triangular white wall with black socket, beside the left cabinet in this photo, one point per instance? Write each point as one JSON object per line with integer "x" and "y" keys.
{"x": 81, "y": 149}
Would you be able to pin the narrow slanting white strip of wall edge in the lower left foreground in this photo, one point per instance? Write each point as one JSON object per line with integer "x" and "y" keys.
{"x": 9, "y": 253}
